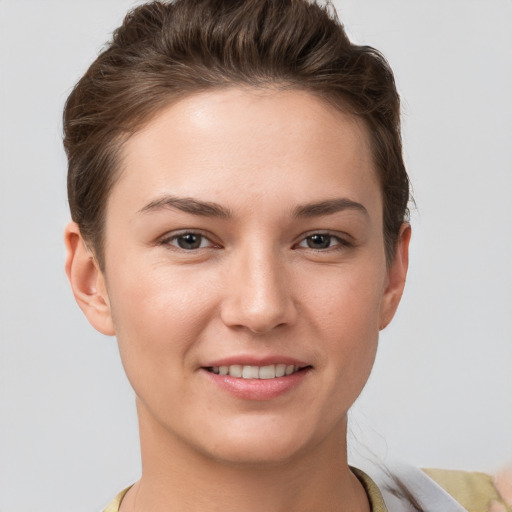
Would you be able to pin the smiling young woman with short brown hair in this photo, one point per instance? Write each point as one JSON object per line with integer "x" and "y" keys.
{"x": 239, "y": 205}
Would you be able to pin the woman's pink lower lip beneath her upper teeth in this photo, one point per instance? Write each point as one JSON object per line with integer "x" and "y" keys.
{"x": 257, "y": 389}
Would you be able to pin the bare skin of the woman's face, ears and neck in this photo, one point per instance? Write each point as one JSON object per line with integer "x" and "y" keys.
{"x": 256, "y": 287}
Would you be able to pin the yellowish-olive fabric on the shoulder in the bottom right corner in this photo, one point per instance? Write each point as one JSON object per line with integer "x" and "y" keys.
{"x": 474, "y": 491}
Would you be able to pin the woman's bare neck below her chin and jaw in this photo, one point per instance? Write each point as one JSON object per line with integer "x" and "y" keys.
{"x": 175, "y": 476}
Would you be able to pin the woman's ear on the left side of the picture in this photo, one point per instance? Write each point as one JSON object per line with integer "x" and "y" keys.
{"x": 87, "y": 281}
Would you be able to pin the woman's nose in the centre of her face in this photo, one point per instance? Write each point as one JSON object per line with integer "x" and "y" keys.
{"x": 258, "y": 293}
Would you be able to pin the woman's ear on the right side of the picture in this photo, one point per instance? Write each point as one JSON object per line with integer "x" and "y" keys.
{"x": 397, "y": 273}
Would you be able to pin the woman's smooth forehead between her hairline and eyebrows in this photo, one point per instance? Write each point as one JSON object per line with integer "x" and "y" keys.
{"x": 260, "y": 143}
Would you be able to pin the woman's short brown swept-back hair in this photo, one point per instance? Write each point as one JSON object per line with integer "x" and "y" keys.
{"x": 164, "y": 51}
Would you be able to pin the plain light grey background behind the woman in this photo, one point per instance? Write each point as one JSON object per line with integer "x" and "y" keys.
{"x": 441, "y": 391}
